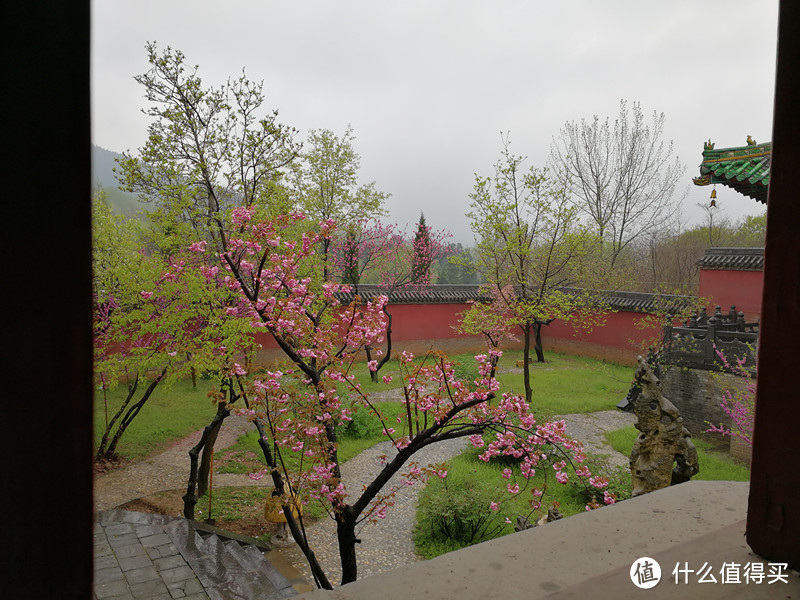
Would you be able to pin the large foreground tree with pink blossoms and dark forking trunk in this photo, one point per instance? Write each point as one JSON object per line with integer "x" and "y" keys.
{"x": 297, "y": 407}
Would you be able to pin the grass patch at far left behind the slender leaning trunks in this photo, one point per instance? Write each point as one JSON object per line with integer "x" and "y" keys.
{"x": 171, "y": 413}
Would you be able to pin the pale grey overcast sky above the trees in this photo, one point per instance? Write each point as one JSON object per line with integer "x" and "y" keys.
{"x": 428, "y": 85}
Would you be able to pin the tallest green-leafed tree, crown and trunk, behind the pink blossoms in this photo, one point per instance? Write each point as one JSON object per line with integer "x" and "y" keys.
{"x": 209, "y": 150}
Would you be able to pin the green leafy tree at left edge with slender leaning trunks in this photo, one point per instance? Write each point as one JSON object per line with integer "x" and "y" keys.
{"x": 149, "y": 330}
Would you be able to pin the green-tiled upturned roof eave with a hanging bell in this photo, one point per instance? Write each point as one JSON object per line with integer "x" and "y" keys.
{"x": 745, "y": 169}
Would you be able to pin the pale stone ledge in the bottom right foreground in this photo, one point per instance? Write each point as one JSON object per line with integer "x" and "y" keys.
{"x": 697, "y": 521}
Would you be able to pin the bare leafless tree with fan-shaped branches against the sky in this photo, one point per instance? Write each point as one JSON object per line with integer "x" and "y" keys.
{"x": 622, "y": 177}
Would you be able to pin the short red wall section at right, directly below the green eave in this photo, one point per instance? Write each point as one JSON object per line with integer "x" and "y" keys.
{"x": 742, "y": 288}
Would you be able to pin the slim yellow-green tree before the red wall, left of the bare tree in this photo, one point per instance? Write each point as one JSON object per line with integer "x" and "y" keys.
{"x": 529, "y": 246}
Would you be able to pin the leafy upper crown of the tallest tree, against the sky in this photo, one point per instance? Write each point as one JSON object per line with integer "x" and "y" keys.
{"x": 208, "y": 149}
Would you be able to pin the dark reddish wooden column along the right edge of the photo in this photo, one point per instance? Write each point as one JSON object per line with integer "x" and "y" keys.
{"x": 773, "y": 516}
